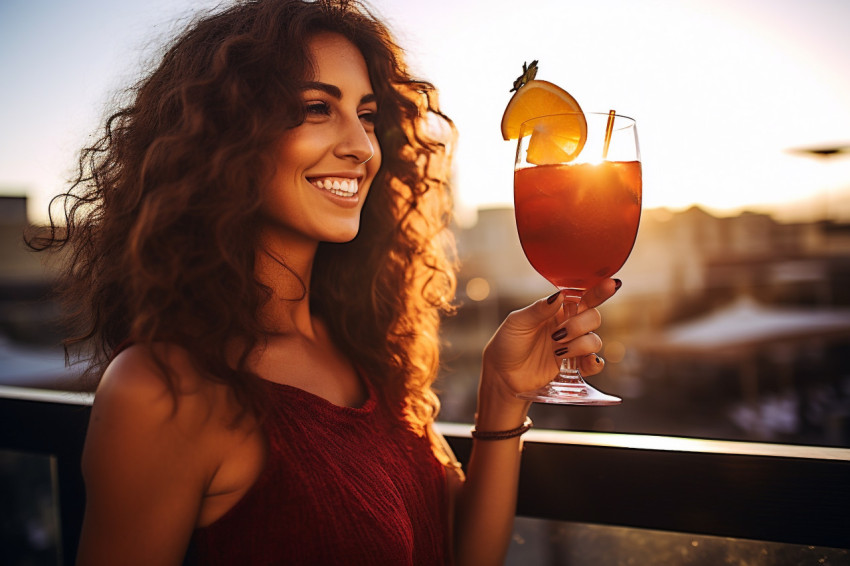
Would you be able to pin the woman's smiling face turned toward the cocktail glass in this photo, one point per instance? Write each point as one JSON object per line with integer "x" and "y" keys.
{"x": 326, "y": 164}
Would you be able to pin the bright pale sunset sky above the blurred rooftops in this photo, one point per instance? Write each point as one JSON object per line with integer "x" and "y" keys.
{"x": 721, "y": 89}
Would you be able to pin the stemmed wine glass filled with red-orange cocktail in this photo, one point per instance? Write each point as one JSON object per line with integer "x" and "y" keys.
{"x": 577, "y": 217}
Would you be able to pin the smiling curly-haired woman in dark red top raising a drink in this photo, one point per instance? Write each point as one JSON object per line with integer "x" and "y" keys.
{"x": 260, "y": 258}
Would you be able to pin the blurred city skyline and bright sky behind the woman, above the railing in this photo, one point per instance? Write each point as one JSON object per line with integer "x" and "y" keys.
{"x": 734, "y": 316}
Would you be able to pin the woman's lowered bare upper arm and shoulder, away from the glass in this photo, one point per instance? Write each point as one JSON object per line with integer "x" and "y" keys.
{"x": 144, "y": 477}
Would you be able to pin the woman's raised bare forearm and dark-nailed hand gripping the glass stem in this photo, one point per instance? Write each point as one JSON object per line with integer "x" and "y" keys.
{"x": 519, "y": 357}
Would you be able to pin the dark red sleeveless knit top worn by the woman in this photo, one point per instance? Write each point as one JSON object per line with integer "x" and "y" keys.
{"x": 341, "y": 485}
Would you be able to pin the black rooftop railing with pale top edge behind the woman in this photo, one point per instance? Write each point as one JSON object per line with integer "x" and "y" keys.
{"x": 766, "y": 492}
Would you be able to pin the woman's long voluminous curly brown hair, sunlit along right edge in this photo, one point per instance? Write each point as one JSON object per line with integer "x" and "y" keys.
{"x": 161, "y": 219}
